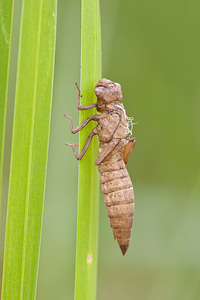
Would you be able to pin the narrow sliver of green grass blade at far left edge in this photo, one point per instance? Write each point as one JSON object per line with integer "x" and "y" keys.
{"x": 6, "y": 8}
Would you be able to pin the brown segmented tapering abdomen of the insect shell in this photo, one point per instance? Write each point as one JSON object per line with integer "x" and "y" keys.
{"x": 119, "y": 198}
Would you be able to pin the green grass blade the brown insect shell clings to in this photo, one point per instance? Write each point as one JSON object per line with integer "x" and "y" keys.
{"x": 87, "y": 233}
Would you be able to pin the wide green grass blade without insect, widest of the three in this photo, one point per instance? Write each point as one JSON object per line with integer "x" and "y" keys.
{"x": 29, "y": 149}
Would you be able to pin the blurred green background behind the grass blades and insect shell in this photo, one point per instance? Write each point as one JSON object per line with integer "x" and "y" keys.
{"x": 152, "y": 49}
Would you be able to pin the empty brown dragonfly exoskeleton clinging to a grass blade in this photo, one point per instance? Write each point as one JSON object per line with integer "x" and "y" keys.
{"x": 115, "y": 147}
